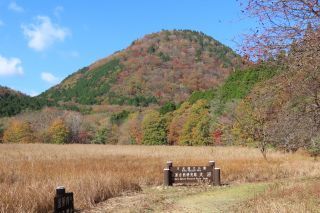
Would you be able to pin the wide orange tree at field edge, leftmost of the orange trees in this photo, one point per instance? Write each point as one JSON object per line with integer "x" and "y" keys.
{"x": 18, "y": 132}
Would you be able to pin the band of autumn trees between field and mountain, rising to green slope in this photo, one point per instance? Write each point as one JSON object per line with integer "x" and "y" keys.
{"x": 197, "y": 121}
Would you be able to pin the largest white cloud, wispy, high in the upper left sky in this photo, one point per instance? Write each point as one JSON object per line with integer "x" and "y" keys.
{"x": 44, "y": 33}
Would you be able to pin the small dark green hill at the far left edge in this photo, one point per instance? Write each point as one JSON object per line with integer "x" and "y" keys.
{"x": 13, "y": 102}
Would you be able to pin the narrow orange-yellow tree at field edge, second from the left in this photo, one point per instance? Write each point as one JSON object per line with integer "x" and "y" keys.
{"x": 58, "y": 132}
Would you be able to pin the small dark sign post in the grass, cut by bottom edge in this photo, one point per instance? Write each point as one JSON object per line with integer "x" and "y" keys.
{"x": 63, "y": 202}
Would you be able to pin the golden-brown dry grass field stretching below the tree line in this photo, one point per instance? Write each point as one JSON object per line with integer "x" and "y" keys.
{"x": 30, "y": 173}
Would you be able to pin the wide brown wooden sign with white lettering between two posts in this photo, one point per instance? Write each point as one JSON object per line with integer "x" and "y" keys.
{"x": 191, "y": 174}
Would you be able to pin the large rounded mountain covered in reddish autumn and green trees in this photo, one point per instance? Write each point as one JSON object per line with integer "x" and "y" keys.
{"x": 158, "y": 68}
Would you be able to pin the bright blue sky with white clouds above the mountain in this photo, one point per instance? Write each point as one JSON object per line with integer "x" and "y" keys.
{"x": 42, "y": 42}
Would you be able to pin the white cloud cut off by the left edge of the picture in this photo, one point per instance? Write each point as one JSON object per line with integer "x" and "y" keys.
{"x": 10, "y": 66}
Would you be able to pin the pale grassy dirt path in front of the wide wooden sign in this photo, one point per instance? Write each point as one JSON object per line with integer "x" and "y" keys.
{"x": 182, "y": 199}
